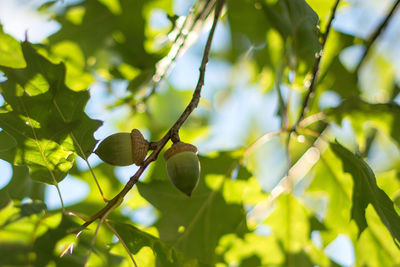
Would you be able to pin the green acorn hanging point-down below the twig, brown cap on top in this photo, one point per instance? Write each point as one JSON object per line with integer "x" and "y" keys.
{"x": 183, "y": 166}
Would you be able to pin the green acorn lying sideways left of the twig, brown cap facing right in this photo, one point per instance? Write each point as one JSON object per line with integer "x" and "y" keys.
{"x": 123, "y": 149}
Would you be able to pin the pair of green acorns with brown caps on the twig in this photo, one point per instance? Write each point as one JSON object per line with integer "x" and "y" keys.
{"x": 123, "y": 149}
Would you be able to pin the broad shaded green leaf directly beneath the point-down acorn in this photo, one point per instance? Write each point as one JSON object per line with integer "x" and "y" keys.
{"x": 190, "y": 222}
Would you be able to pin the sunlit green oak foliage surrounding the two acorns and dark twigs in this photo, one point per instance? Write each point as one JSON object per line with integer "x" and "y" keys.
{"x": 260, "y": 201}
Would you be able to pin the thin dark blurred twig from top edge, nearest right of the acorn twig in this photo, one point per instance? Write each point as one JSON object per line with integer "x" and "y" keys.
{"x": 315, "y": 73}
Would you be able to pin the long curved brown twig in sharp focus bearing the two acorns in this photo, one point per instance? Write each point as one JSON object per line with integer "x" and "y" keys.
{"x": 172, "y": 132}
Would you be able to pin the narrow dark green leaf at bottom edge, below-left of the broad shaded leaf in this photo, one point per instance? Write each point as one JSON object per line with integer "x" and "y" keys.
{"x": 136, "y": 239}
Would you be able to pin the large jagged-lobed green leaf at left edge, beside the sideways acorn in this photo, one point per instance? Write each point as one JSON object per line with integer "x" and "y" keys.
{"x": 44, "y": 118}
